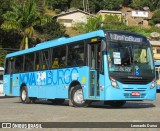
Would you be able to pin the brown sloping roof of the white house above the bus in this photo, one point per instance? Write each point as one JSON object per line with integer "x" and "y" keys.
{"x": 71, "y": 12}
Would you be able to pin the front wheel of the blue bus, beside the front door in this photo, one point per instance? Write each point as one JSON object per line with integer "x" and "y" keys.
{"x": 77, "y": 97}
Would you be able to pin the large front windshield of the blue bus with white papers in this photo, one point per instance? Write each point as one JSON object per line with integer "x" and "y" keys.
{"x": 131, "y": 59}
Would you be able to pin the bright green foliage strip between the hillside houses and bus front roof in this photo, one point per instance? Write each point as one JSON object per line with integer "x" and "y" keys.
{"x": 112, "y": 22}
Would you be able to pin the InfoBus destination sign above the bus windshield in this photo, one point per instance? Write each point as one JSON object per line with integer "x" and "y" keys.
{"x": 125, "y": 37}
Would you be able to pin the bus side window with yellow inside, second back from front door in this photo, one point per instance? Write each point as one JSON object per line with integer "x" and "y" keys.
{"x": 59, "y": 57}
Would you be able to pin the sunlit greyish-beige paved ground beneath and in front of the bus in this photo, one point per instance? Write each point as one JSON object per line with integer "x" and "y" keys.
{"x": 12, "y": 110}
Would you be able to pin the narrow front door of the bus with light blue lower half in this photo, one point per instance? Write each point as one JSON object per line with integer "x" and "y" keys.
{"x": 93, "y": 50}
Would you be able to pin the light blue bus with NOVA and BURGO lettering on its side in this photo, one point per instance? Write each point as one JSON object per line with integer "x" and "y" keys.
{"x": 104, "y": 65}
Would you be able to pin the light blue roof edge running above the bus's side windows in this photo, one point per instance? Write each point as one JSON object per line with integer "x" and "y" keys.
{"x": 59, "y": 41}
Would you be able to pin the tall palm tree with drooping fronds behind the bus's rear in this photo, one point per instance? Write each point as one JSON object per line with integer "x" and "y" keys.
{"x": 22, "y": 18}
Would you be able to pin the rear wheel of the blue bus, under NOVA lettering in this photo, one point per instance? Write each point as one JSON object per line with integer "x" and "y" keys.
{"x": 24, "y": 95}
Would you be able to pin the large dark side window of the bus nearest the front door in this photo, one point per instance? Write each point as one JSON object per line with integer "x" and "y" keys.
{"x": 75, "y": 55}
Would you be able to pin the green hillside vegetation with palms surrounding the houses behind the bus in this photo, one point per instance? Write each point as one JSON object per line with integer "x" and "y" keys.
{"x": 24, "y": 23}
